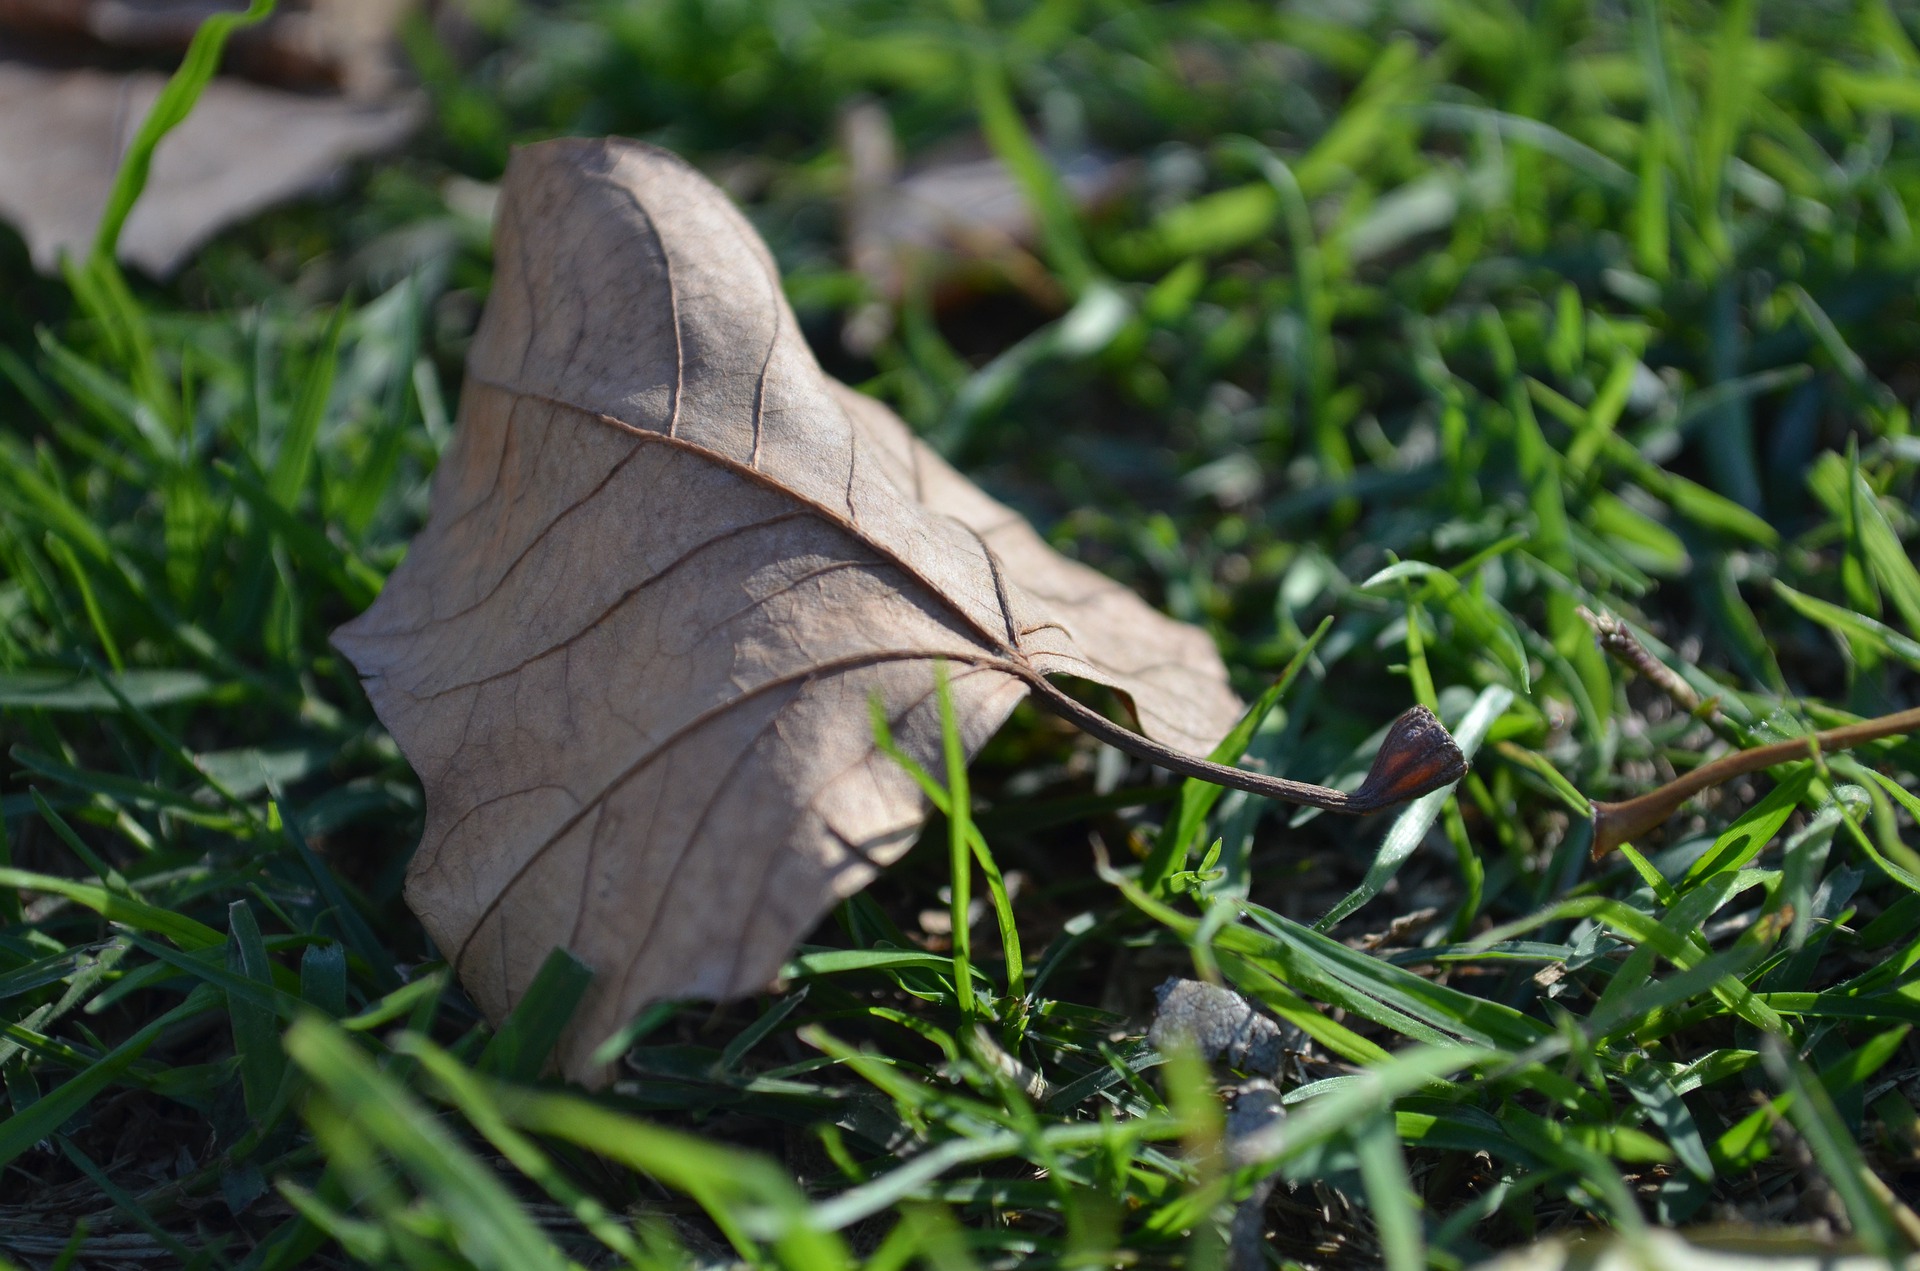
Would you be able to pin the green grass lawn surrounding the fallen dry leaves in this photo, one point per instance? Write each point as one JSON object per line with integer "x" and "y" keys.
{"x": 1416, "y": 333}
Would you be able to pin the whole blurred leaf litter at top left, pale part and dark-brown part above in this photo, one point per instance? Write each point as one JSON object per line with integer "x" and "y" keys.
{"x": 329, "y": 89}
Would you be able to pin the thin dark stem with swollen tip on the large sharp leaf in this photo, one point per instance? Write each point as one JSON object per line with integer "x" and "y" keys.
{"x": 1416, "y": 757}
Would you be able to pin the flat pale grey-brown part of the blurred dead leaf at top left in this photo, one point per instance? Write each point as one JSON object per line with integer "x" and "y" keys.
{"x": 245, "y": 149}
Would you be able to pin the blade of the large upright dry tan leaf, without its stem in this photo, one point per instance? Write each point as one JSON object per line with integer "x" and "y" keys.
{"x": 669, "y": 565}
